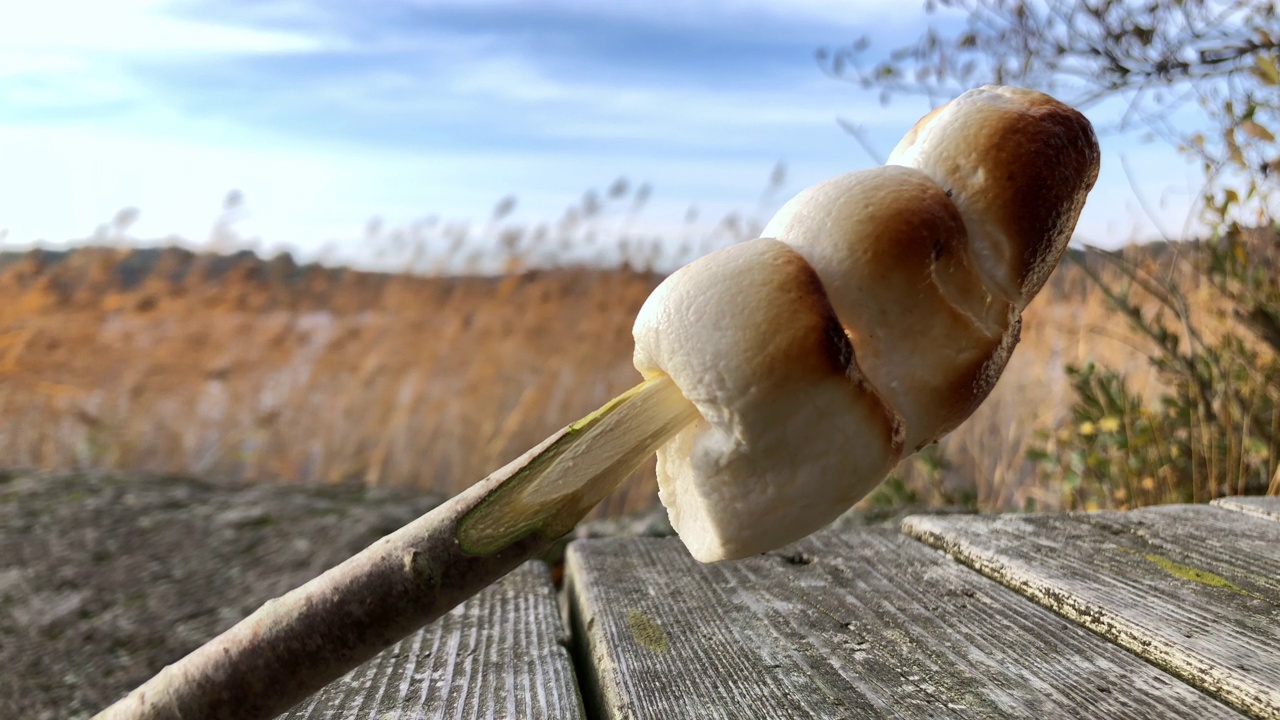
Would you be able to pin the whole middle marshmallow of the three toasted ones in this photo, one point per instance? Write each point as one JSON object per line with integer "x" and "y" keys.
{"x": 894, "y": 253}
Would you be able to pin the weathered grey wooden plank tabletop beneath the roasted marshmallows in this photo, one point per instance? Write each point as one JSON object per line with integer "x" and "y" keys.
{"x": 1159, "y": 613}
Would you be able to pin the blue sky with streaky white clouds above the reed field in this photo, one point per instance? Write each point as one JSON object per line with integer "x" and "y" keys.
{"x": 327, "y": 113}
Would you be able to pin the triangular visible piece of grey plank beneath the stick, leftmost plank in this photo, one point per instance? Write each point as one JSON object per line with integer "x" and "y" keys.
{"x": 501, "y": 655}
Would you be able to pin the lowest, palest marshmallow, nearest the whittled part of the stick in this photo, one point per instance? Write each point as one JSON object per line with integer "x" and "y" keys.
{"x": 790, "y": 435}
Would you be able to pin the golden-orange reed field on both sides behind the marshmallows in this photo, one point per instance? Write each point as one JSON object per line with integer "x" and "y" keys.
{"x": 235, "y": 368}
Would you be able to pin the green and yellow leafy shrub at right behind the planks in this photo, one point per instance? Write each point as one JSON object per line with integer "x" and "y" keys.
{"x": 1215, "y": 427}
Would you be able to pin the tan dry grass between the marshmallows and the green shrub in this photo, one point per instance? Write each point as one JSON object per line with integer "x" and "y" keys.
{"x": 1073, "y": 323}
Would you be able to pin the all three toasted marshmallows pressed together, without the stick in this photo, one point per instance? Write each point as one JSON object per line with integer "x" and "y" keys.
{"x": 872, "y": 318}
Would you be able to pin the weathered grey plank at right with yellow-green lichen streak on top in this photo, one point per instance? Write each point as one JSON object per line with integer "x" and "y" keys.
{"x": 1195, "y": 590}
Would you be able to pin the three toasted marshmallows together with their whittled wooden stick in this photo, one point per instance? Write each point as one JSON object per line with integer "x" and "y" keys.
{"x": 784, "y": 379}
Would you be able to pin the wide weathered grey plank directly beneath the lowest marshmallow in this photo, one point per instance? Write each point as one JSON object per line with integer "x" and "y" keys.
{"x": 860, "y": 625}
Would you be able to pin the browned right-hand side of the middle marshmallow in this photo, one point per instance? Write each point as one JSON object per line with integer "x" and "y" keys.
{"x": 915, "y": 252}
